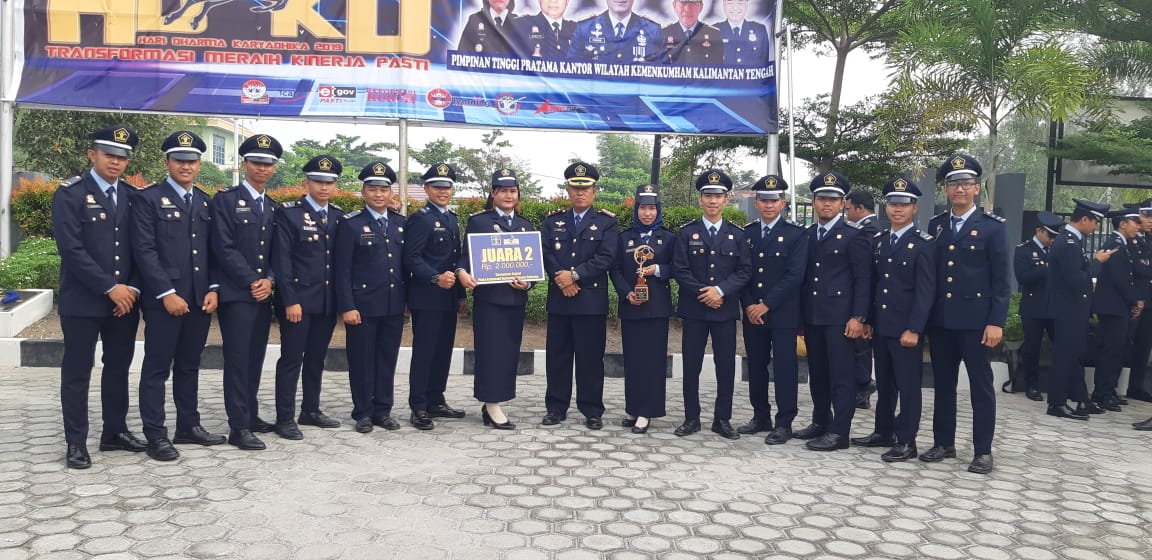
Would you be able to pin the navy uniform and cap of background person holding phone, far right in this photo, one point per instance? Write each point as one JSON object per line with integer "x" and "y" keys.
{"x": 1115, "y": 302}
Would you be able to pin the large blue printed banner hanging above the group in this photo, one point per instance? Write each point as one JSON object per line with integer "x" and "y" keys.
{"x": 604, "y": 65}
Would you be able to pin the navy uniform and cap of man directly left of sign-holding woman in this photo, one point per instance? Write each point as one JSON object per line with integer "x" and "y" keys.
{"x": 433, "y": 249}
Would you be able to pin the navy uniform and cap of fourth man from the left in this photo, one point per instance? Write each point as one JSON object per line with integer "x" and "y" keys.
{"x": 302, "y": 260}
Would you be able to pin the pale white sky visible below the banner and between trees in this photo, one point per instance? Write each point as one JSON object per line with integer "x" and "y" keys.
{"x": 549, "y": 153}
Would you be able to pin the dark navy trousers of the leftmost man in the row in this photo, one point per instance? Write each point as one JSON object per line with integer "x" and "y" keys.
{"x": 118, "y": 337}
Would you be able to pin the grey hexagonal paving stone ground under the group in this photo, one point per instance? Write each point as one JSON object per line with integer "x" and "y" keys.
{"x": 1062, "y": 490}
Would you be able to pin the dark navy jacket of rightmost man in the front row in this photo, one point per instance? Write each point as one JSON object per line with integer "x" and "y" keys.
{"x": 972, "y": 273}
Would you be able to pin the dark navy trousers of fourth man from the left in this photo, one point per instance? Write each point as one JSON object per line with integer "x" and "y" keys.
{"x": 304, "y": 350}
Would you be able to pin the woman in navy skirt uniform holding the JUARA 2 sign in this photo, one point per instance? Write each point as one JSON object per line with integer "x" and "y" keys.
{"x": 498, "y": 309}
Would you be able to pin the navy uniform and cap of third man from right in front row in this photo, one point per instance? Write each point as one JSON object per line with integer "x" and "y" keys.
{"x": 837, "y": 291}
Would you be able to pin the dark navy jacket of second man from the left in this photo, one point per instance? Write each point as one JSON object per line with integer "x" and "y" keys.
{"x": 171, "y": 245}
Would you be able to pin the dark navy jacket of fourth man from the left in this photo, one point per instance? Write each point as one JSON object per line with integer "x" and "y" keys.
{"x": 302, "y": 258}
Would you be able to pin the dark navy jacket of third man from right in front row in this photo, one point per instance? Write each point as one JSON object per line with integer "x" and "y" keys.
{"x": 838, "y": 282}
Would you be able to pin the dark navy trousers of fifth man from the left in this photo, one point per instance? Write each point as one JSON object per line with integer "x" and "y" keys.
{"x": 373, "y": 350}
